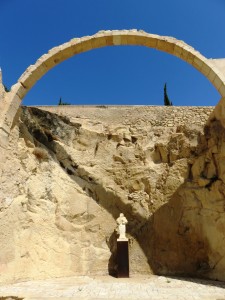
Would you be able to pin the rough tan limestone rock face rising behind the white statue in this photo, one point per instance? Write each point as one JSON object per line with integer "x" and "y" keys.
{"x": 67, "y": 178}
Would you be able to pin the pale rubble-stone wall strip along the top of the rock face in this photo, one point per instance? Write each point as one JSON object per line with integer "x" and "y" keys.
{"x": 170, "y": 116}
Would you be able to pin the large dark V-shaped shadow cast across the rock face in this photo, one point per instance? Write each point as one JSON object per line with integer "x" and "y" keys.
{"x": 175, "y": 238}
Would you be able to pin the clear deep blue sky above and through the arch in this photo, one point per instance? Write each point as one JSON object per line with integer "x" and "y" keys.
{"x": 122, "y": 75}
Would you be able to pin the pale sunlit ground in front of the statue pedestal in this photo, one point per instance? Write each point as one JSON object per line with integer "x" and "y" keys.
{"x": 106, "y": 287}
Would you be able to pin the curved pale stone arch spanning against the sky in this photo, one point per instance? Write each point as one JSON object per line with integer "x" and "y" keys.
{"x": 208, "y": 67}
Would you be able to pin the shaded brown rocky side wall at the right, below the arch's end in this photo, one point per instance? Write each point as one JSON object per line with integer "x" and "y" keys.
{"x": 188, "y": 231}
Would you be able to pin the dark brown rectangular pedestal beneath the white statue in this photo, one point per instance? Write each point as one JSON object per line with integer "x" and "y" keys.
{"x": 122, "y": 258}
